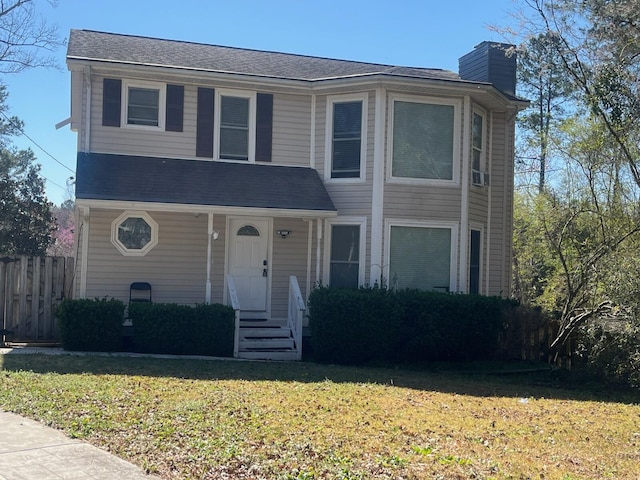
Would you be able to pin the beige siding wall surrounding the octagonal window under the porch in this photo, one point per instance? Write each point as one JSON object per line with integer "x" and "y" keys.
{"x": 176, "y": 267}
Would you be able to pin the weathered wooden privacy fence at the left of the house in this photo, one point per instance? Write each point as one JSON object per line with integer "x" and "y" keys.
{"x": 30, "y": 290}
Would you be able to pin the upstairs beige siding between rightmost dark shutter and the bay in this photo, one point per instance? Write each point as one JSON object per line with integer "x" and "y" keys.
{"x": 291, "y": 129}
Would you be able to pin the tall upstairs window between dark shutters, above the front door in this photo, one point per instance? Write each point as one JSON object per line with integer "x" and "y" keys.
{"x": 236, "y": 127}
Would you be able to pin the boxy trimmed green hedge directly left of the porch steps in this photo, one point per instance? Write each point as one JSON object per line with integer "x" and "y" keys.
{"x": 180, "y": 329}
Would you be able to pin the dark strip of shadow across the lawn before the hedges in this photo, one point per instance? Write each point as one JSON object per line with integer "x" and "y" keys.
{"x": 482, "y": 380}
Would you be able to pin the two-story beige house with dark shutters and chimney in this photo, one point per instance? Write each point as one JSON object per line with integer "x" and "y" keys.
{"x": 201, "y": 165}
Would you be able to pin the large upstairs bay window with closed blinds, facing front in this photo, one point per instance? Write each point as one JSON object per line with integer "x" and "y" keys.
{"x": 425, "y": 140}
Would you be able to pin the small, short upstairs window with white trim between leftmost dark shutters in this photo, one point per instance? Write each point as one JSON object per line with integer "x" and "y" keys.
{"x": 144, "y": 105}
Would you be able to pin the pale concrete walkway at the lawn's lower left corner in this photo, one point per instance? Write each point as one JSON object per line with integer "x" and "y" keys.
{"x": 31, "y": 451}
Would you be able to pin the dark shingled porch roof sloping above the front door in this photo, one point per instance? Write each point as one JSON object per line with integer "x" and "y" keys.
{"x": 198, "y": 182}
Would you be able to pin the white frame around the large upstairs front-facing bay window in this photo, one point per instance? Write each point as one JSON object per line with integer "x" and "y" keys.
{"x": 457, "y": 119}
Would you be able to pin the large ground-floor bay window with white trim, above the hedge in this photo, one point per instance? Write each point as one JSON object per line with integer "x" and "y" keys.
{"x": 422, "y": 256}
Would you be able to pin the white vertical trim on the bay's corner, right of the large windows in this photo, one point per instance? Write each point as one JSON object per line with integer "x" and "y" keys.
{"x": 464, "y": 209}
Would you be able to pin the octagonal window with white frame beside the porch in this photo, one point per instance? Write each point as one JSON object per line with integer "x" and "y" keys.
{"x": 134, "y": 233}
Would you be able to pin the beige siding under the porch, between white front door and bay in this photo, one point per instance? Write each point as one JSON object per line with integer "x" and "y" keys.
{"x": 290, "y": 258}
